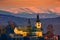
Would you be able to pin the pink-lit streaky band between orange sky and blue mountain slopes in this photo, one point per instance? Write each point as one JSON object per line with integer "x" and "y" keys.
{"x": 31, "y": 10}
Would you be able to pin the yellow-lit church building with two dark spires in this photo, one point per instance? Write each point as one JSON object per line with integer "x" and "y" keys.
{"x": 28, "y": 29}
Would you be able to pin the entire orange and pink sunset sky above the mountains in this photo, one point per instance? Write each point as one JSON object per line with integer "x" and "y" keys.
{"x": 34, "y": 5}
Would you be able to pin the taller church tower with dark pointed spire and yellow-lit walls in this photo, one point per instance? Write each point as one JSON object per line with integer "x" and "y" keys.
{"x": 39, "y": 31}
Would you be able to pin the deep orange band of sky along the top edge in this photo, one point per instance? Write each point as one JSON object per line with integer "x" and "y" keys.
{"x": 28, "y": 3}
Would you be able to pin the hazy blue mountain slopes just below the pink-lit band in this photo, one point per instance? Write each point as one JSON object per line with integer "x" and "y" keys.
{"x": 33, "y": 15}
